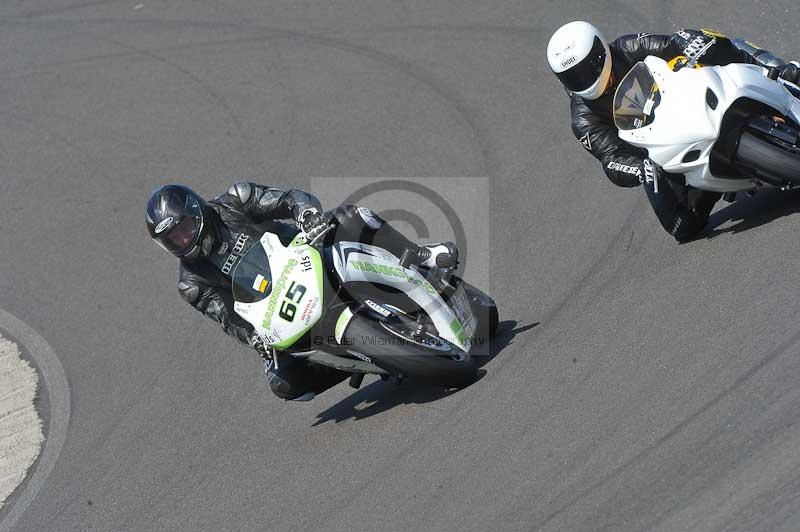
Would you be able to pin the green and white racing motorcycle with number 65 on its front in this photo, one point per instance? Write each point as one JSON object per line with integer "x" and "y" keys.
{"x": 356, "y": 307}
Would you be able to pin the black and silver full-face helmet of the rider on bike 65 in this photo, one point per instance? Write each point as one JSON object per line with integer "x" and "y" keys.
{"x": 177, "y": 220}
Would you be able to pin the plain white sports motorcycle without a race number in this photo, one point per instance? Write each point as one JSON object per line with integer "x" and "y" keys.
{"x": 726, "y": 128}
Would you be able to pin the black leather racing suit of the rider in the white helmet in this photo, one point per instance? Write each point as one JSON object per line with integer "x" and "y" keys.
{"x": 682, "y": 210}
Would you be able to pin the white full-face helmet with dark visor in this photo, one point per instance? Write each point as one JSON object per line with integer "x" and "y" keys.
{"x": 579, "y": 56}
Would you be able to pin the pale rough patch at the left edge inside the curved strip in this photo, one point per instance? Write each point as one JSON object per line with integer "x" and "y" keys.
{"x": 20, "y": 425}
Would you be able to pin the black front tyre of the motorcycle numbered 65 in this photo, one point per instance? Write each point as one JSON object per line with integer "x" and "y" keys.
{"x": 443, "y": 364}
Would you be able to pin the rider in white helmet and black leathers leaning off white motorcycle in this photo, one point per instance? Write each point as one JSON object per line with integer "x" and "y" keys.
{"x": 590, "y": 68}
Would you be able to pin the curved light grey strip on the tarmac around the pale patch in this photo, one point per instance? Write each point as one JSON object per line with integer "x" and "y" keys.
{"x": 55, "y": 382}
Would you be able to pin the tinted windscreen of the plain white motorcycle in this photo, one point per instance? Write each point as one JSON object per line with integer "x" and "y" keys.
{"x": 636, "y": 99}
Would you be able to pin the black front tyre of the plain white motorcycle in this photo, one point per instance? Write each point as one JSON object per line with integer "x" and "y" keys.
{"x": 770, "y": 157}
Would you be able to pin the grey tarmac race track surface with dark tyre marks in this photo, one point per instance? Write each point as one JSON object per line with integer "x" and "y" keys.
{"x": 658, "y": 392}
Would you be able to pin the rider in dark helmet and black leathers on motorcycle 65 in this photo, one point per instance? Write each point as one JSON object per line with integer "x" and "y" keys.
{"x": 210, "y": 238}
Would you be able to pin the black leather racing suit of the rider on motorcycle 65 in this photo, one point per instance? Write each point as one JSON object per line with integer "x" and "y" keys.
{"x": 240, "y": 217}
